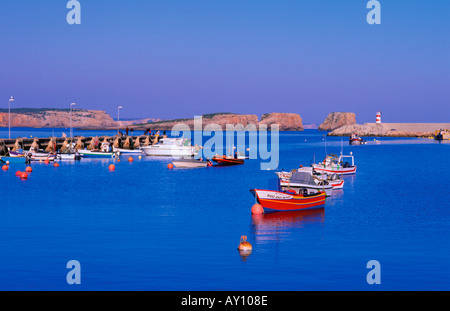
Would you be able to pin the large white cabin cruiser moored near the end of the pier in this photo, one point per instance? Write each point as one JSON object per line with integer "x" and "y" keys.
{"x": 171, "y": 147}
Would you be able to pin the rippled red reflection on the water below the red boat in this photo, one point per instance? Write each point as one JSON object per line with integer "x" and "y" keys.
{"x": 277, "y": 226}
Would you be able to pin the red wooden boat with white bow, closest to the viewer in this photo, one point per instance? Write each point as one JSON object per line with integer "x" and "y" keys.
{"x": 277, "y": 201}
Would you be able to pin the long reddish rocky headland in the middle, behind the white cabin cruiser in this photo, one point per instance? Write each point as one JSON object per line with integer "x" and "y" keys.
{"x": 286, "y": 121}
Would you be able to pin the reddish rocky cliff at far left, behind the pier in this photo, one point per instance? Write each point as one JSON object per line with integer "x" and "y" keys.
{"x": 57, "y": 118}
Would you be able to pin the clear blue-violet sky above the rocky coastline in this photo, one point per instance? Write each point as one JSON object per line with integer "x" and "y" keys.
{"x": 175, "y": 59}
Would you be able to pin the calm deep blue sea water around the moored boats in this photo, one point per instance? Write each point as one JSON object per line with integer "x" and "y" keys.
{"x": 145, "y": 227}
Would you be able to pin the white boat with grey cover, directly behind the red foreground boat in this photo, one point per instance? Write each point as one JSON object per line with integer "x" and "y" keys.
{"x": 304, "y": 182}
